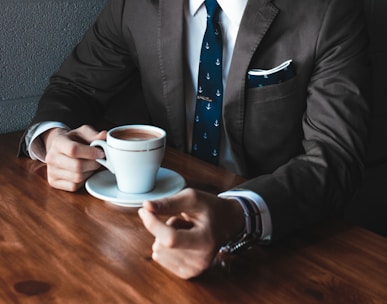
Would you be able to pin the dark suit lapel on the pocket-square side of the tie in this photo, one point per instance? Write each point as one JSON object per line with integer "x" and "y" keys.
{"x": 257, "y": 18}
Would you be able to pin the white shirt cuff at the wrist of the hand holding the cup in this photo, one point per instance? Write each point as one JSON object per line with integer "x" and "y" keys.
{"x": 35, "y": 147}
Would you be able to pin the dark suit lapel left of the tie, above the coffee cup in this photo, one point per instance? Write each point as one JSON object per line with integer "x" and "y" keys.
{"x": 171, "y": 49}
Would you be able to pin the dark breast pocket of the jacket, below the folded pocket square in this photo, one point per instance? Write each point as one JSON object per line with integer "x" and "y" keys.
{"x": 273, "y": 123}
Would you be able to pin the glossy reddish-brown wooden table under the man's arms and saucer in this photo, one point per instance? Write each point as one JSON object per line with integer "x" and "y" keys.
{"x": 59, "y": 247}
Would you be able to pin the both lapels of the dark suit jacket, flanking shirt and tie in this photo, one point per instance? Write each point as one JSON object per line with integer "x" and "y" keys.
{"x": 257, "y": 18}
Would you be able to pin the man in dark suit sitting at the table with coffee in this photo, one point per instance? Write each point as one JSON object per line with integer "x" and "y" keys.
{"x": 300, "y": 141}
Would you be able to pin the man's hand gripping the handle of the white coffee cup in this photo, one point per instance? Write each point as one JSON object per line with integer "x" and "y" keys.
{"x": 70, "y": 160}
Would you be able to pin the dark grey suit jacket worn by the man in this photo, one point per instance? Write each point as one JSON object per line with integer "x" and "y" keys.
{"x": 301, "y": 143}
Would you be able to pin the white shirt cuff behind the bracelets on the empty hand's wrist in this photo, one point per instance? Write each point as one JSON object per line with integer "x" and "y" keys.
{"x": 262, "y": 207}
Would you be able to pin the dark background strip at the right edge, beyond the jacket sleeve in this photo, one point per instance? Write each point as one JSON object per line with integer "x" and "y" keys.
{"x": 370, "y": 206}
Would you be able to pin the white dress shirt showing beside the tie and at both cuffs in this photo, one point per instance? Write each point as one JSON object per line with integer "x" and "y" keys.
{"x": 195, "y": 18}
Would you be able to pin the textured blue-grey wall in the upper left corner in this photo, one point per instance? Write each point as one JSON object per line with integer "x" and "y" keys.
{"x": 35, "y": 37}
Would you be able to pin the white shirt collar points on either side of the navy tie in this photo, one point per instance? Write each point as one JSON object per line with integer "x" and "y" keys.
{"x": 232, "y": 8}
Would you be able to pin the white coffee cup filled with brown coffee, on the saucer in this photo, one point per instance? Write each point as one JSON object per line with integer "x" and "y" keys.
{"x": 133, "y": 154}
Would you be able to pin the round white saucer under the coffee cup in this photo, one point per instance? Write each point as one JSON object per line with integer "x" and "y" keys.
{"x": 103, "y": 185}
